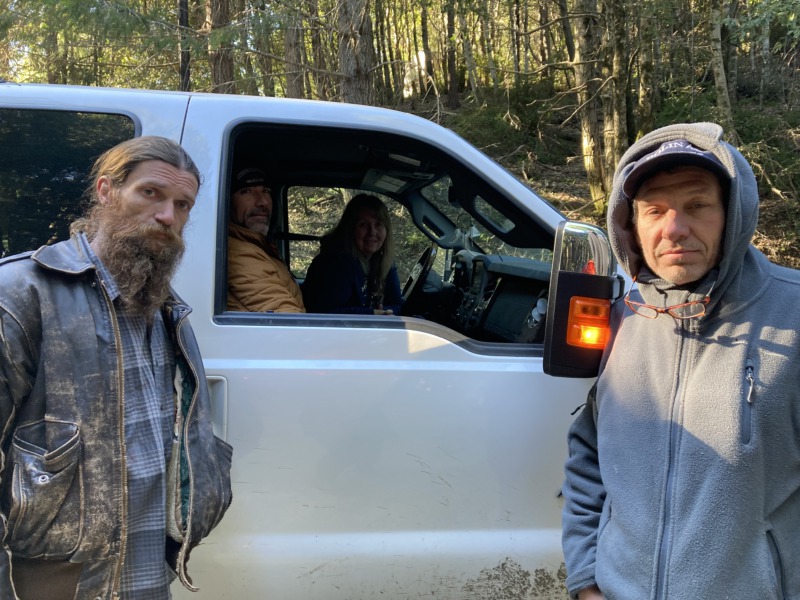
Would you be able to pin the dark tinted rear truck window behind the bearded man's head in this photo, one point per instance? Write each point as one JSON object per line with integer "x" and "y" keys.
{"x": 47, "y": 155}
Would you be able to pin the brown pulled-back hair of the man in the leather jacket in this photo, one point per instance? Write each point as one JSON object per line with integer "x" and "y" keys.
{"x": 118, "y": 162}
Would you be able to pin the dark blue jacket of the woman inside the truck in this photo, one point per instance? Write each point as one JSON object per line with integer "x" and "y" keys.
{"x": 335, "y": 283}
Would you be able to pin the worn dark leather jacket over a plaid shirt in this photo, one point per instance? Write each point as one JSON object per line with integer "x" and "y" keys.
{"x": 63, "y": 493}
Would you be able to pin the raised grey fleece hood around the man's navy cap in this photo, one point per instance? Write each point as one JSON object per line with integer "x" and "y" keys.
{"x": 742, "y": 201}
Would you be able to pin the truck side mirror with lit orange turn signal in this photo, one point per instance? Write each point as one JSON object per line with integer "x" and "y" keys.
{"x": 583, "y": 284}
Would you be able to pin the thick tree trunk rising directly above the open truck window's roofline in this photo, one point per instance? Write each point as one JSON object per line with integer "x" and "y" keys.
{"x": 355, "y": 51}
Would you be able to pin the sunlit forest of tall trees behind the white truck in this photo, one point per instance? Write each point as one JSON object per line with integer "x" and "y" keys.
{"x": 554, "y": 90}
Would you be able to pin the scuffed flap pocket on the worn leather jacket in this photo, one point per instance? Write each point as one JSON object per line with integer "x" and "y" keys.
{"x": 43, "y": 496}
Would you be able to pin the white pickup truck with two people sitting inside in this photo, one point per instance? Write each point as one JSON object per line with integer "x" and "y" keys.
{"x": 409, "y": 456}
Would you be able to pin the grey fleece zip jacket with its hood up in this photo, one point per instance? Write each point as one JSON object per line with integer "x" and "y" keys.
{"x": 683, "y": 476}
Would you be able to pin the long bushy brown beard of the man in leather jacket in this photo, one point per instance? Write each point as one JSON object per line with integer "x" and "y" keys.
{"x": 142, "y": 257}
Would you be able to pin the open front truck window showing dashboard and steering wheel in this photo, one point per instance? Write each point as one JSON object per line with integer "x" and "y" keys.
{"x": 468, "y": 259}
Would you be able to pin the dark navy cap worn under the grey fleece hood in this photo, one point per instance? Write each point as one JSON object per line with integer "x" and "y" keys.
{"x": 675, "y": 153}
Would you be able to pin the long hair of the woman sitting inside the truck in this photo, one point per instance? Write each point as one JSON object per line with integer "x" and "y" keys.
{"x": 342, "y": 237}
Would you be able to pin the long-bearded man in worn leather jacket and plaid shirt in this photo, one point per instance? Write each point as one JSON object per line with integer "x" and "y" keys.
{"x": 111, "y": 473}
